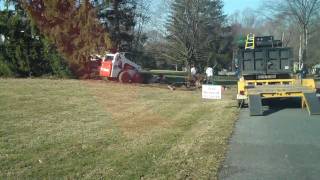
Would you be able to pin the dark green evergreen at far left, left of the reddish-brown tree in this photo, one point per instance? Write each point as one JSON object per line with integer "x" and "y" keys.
{"x": 23, "y": 50}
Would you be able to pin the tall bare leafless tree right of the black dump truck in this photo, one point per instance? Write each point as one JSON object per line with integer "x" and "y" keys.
{"x": 301, "y": 12}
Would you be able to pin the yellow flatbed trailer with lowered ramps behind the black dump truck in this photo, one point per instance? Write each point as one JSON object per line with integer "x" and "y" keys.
{"x": 254, "y": 91}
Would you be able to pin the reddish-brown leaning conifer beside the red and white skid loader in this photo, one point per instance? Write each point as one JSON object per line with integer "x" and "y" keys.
{"x": 73, "y": 27}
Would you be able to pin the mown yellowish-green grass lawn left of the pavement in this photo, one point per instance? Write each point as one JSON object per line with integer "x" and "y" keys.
{"x": 90, "y": 129}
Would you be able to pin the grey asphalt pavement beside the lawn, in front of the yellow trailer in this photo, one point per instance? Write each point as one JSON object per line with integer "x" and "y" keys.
{"x": 285, "y": 144}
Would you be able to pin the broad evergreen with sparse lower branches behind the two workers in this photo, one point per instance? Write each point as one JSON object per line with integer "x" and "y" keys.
{"x": 195, "y": 32}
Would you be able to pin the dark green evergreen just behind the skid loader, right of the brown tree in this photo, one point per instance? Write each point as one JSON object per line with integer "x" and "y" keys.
{"x": 125, "y": 21}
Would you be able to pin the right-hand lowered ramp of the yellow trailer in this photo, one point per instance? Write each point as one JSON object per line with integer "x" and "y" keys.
{"x": 312, "y": 102}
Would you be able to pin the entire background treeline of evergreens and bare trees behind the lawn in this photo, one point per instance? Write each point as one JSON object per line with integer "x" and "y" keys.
{"x": 56, "y": 38}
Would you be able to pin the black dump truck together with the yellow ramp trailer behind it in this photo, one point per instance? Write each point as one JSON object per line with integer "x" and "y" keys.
{"x": 266, "y": 71}
